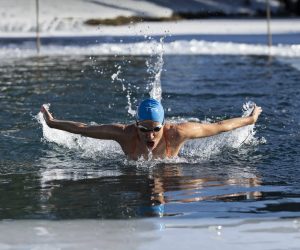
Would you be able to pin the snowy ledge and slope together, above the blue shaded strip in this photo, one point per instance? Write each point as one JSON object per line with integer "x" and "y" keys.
{"x": 68, "y": 17}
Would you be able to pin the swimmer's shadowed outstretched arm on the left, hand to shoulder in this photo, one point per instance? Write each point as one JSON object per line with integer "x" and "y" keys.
{"x": 107, "y": 132}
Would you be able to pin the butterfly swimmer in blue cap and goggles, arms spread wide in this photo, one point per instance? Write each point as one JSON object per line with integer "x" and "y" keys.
{"x": 150, "y": 133}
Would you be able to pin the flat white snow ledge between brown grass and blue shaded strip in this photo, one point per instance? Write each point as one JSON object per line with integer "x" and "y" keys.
{"x": 185, "y": 27}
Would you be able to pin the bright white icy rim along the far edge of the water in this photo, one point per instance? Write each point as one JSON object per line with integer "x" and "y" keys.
{"x": 182, "y": 47}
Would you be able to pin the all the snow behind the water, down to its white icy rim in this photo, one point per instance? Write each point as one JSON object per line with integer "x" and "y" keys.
{"x": 63, "y": 23}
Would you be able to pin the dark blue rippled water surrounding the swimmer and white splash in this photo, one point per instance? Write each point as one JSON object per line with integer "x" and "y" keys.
{"x": 40, "y": 179}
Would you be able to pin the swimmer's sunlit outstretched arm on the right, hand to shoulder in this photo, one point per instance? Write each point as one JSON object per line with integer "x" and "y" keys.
{"x": 193, "y": 130}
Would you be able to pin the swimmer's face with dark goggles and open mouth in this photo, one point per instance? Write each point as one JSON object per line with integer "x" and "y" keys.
{"x": 150, "y": 133}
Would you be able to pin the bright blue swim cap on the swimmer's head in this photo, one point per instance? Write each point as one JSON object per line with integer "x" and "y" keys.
{"x": 151, "y": 109}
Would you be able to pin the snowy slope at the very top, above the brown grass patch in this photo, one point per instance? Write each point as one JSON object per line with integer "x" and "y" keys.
{"x": 20, "y": 15}
